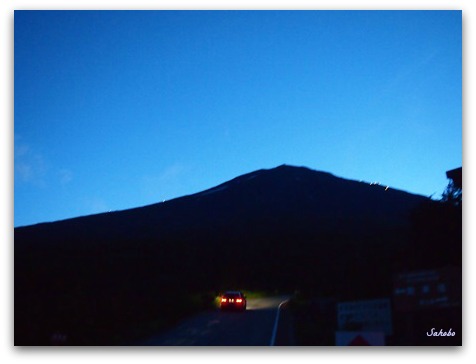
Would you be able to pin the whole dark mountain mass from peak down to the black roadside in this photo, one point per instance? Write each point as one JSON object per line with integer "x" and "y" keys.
{"x": 109, "y": 278}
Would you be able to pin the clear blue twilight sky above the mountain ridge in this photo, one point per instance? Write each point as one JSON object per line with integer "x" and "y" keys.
{"x": 115, "y": 109}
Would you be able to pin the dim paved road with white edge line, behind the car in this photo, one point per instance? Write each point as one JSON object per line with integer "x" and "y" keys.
{"x": 254, "y": 327}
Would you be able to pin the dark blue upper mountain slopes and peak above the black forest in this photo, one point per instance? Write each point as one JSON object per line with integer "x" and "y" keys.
{"x": 274, "y": 196}
